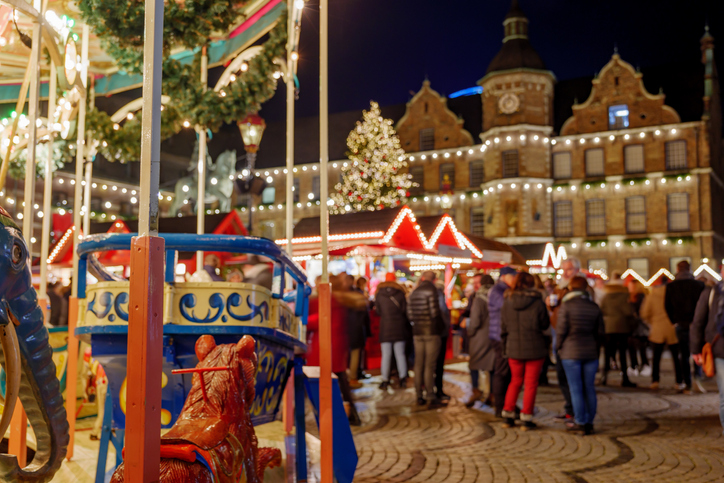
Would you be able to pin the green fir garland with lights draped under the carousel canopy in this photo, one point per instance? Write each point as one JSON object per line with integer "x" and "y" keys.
{"x": 119, "y": 24}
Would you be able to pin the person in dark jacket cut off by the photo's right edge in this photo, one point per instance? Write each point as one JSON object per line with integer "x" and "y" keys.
{"x": 707, "y": 328}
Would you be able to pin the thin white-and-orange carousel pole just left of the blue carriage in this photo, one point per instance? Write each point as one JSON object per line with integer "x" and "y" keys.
{"x": 72, "y": 367}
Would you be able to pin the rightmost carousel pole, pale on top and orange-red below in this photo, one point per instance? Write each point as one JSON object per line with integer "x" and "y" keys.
{"x": 325, "y": 288}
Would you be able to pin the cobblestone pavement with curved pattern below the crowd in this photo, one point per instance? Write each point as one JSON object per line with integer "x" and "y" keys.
{"x": 641, "y": 435}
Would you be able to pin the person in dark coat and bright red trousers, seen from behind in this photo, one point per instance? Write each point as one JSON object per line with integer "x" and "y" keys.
{"x": 524, "y": 318}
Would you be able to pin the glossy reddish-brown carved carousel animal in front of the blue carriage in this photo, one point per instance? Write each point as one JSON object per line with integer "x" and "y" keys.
{"x": 213, "y": 440}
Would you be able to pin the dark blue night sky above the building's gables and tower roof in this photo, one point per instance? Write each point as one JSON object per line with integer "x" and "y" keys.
{"x": 384, "y": 49}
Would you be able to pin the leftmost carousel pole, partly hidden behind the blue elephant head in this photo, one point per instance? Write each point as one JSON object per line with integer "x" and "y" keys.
{"x": 19, "y": 422}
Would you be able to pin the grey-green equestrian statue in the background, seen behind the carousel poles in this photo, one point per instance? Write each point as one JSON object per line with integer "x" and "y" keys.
{"x": 219, "y": 182}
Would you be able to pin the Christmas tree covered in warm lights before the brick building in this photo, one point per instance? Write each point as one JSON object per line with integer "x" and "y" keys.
{"x": 373, "y": 179}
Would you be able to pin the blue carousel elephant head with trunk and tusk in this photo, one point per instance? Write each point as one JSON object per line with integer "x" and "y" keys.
{"x": 27, "y": 358}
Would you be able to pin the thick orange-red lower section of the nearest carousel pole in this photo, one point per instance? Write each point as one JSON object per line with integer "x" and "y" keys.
{"x": 145, "y": 358}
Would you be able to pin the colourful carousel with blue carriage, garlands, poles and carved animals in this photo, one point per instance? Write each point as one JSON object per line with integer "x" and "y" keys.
{"x": 206, "y": 361}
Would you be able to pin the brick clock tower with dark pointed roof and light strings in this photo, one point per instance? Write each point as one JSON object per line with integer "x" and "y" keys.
{"x": 517, "y": 102}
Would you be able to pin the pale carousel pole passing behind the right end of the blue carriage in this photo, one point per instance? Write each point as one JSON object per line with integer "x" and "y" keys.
{"x": 289, "y": 226}
